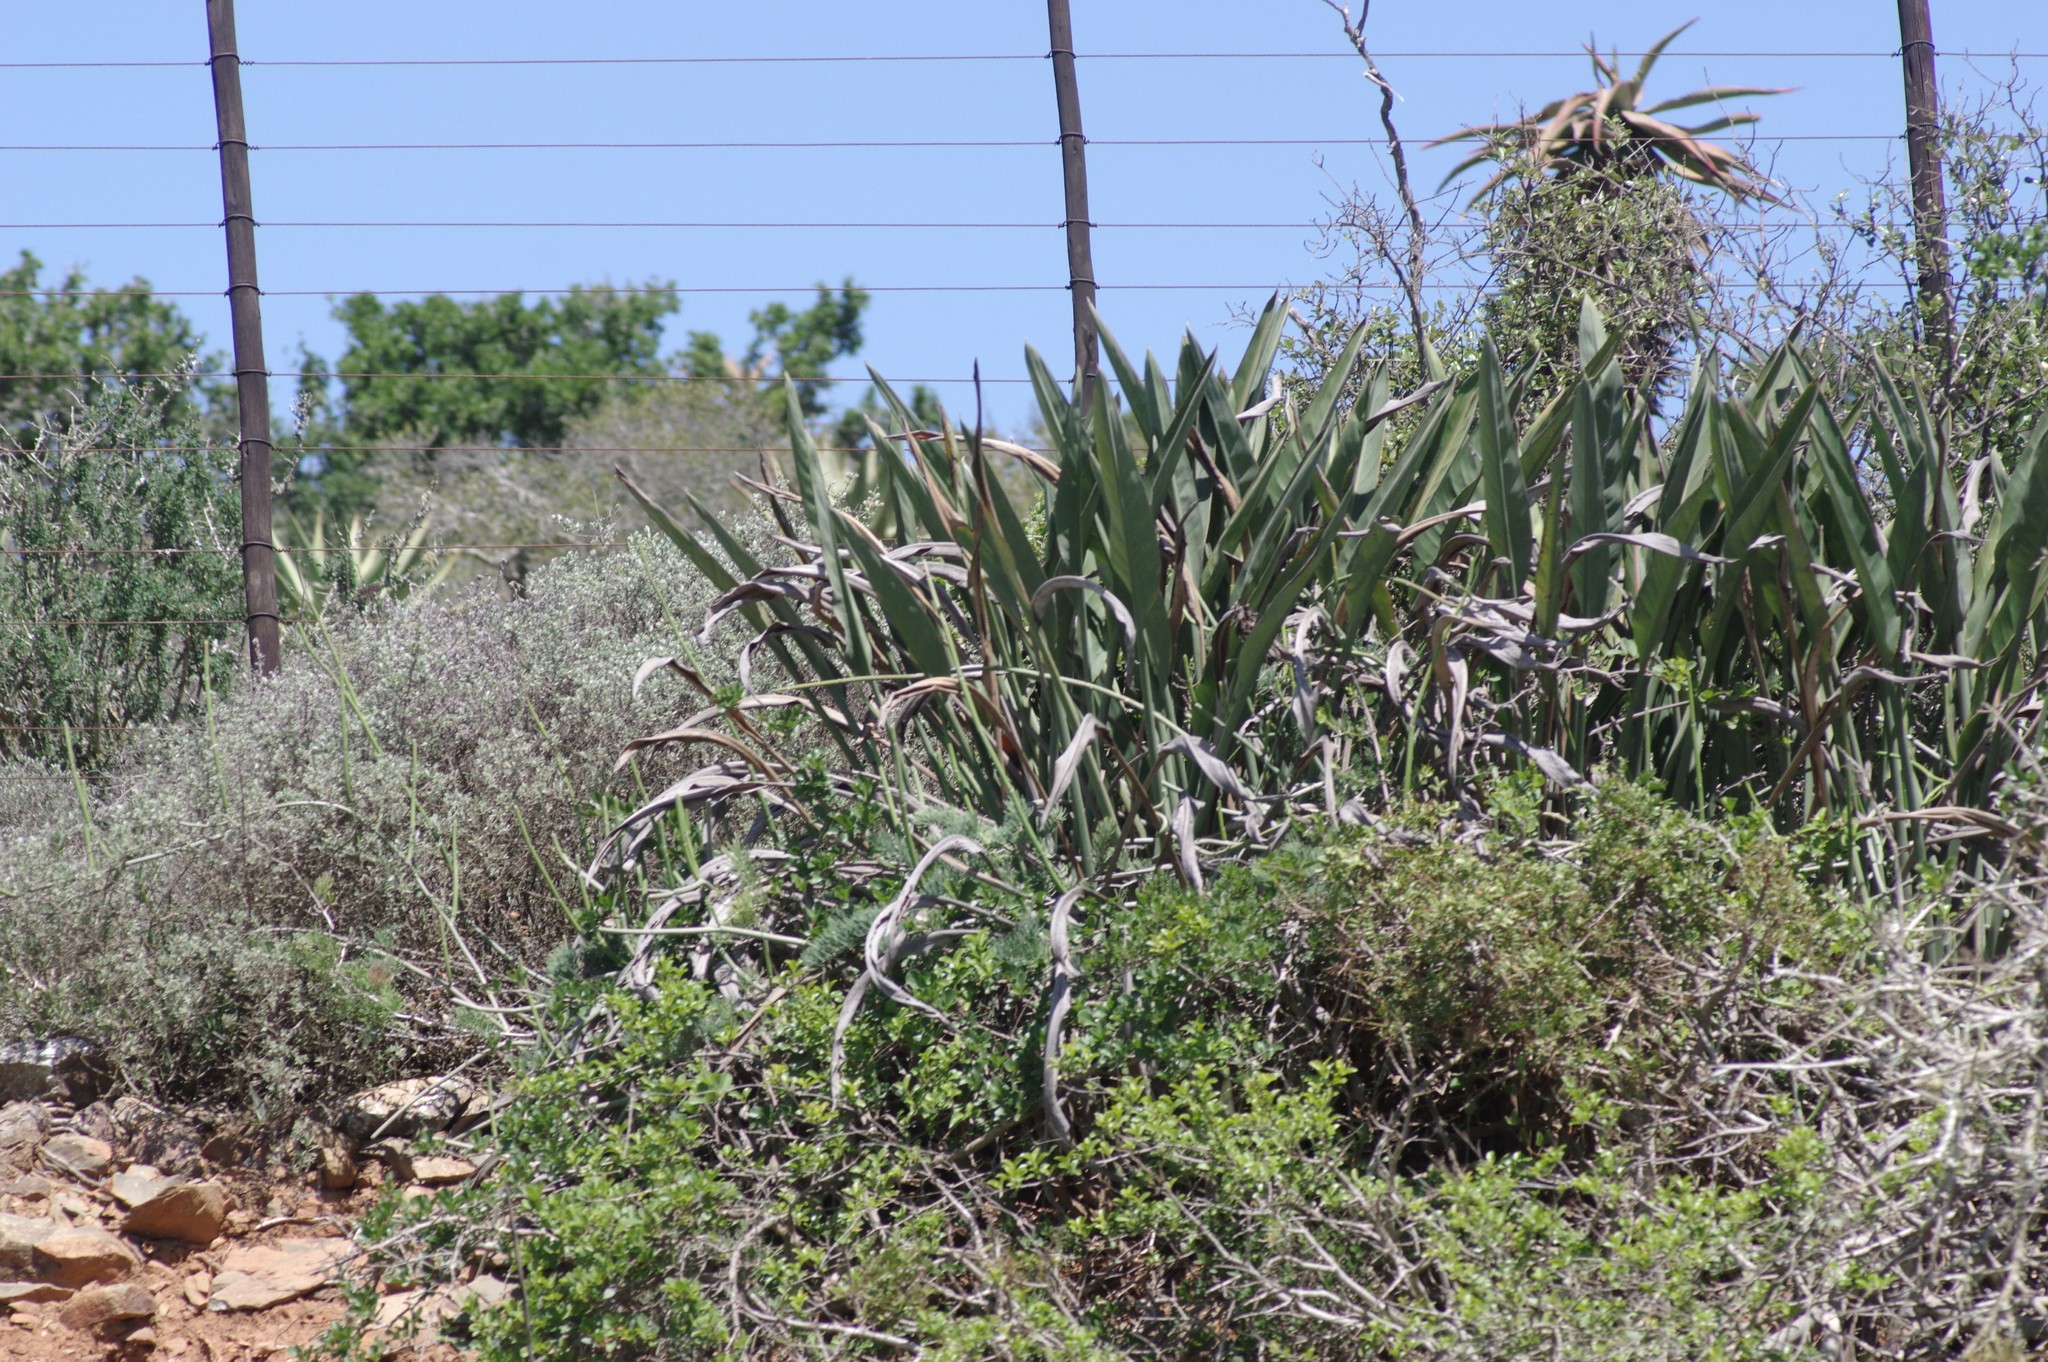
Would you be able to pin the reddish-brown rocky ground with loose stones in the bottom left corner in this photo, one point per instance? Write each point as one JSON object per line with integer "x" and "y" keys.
{"x": 138, "y": 1234}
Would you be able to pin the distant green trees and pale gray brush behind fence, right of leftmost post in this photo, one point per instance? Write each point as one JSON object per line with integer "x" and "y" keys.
{"x": 581, "y": 388}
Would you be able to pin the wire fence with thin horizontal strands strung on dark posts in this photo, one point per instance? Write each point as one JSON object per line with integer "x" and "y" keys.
{"x": 253, "y": 374}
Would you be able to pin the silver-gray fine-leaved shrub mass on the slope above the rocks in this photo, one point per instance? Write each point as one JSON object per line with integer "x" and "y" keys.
{"x": 298, "y": 890}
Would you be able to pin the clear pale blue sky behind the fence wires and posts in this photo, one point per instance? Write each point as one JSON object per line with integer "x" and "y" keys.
{"x": 910, "y": 335}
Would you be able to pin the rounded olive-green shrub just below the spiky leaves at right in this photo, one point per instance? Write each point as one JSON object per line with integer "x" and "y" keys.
{"x": 1508, "y": 982}
